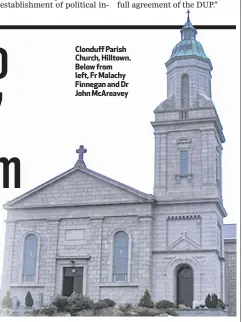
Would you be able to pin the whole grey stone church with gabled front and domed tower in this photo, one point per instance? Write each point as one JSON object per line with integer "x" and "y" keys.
{"x": 85, "y": 232}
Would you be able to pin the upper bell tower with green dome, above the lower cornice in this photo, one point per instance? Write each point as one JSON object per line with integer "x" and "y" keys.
{"x": 188, "y": 132}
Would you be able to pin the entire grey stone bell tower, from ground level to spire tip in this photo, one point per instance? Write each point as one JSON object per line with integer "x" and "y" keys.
{"x": 187, "y": 179}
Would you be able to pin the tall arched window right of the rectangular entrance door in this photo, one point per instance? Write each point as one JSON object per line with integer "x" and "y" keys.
{"x": 120, "y": 257}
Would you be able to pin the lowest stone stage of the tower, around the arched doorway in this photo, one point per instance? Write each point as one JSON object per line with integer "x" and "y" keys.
{"x": 193, "y": 241}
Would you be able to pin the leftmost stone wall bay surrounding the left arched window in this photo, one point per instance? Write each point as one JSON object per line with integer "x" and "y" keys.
{"x": 43, "y": 255}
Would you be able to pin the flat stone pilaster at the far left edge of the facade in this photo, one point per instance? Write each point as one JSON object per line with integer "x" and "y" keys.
{"x": 8, "y": 254}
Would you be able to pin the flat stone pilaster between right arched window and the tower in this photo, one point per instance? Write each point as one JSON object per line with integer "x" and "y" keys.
{"x": 145, "y": 254}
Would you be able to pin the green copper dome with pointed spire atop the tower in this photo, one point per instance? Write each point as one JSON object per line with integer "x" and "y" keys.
{"x": 188, "y": 46}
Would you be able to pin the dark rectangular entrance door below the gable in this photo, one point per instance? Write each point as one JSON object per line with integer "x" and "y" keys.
{"x": 72, "y": 280}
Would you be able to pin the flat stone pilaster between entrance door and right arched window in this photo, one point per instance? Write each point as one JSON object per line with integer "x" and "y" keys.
{"x": 95, "y": 263}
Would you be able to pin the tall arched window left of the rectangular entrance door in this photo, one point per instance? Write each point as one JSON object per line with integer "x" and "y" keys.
{"x": 30, "y": 258}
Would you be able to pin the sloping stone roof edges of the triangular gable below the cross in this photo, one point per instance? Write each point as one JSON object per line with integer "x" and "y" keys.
{"x": 137, "y": 193}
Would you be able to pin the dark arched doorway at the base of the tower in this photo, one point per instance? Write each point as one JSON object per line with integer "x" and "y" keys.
{"x": 185, "y": 285}
